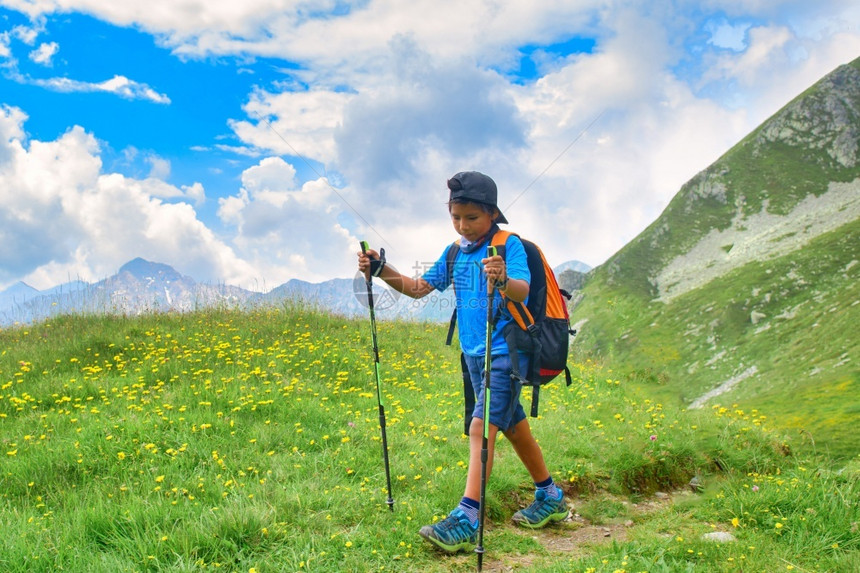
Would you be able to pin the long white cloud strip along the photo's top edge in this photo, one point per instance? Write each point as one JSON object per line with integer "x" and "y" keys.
{"x": 325, "y": 33}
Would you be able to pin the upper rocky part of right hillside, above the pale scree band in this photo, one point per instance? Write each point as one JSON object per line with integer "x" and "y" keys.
{"x": 800, "y": 151}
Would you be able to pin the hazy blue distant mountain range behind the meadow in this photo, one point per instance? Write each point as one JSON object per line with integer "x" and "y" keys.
{"x": 145, "y": 286}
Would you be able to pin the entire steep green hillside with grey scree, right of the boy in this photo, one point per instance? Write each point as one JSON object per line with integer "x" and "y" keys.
{"x": 745, "y": 290}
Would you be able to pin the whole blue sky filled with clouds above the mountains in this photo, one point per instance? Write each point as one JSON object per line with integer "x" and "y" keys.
{"x": 256, "y": 143}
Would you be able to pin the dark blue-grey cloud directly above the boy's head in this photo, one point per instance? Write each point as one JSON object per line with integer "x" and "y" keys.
{"x": 447, "y": 107}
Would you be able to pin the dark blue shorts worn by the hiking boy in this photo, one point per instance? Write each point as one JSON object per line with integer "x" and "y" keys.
{"x": 502, "y": 392}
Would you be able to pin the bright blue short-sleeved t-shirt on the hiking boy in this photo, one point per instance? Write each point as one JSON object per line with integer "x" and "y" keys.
{"x": 470, "y": 288}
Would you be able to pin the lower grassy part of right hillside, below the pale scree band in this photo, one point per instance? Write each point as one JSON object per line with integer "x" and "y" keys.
{"x": 801, "y": 349}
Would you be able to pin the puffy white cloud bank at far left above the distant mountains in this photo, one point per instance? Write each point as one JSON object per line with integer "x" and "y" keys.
{"x": 61, "y": 216}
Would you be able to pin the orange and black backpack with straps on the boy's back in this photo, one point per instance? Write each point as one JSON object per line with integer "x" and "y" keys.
{"x": 540, "y": 328}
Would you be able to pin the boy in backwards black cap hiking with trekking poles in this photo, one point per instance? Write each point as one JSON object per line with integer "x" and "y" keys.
{"x": 475, "y": 215}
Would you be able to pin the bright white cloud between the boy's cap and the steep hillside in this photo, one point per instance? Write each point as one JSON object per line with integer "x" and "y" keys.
{"x": 600, "y": 187}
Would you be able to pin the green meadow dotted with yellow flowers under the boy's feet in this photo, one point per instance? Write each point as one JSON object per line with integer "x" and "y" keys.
{"x": 231, "y": 441}
